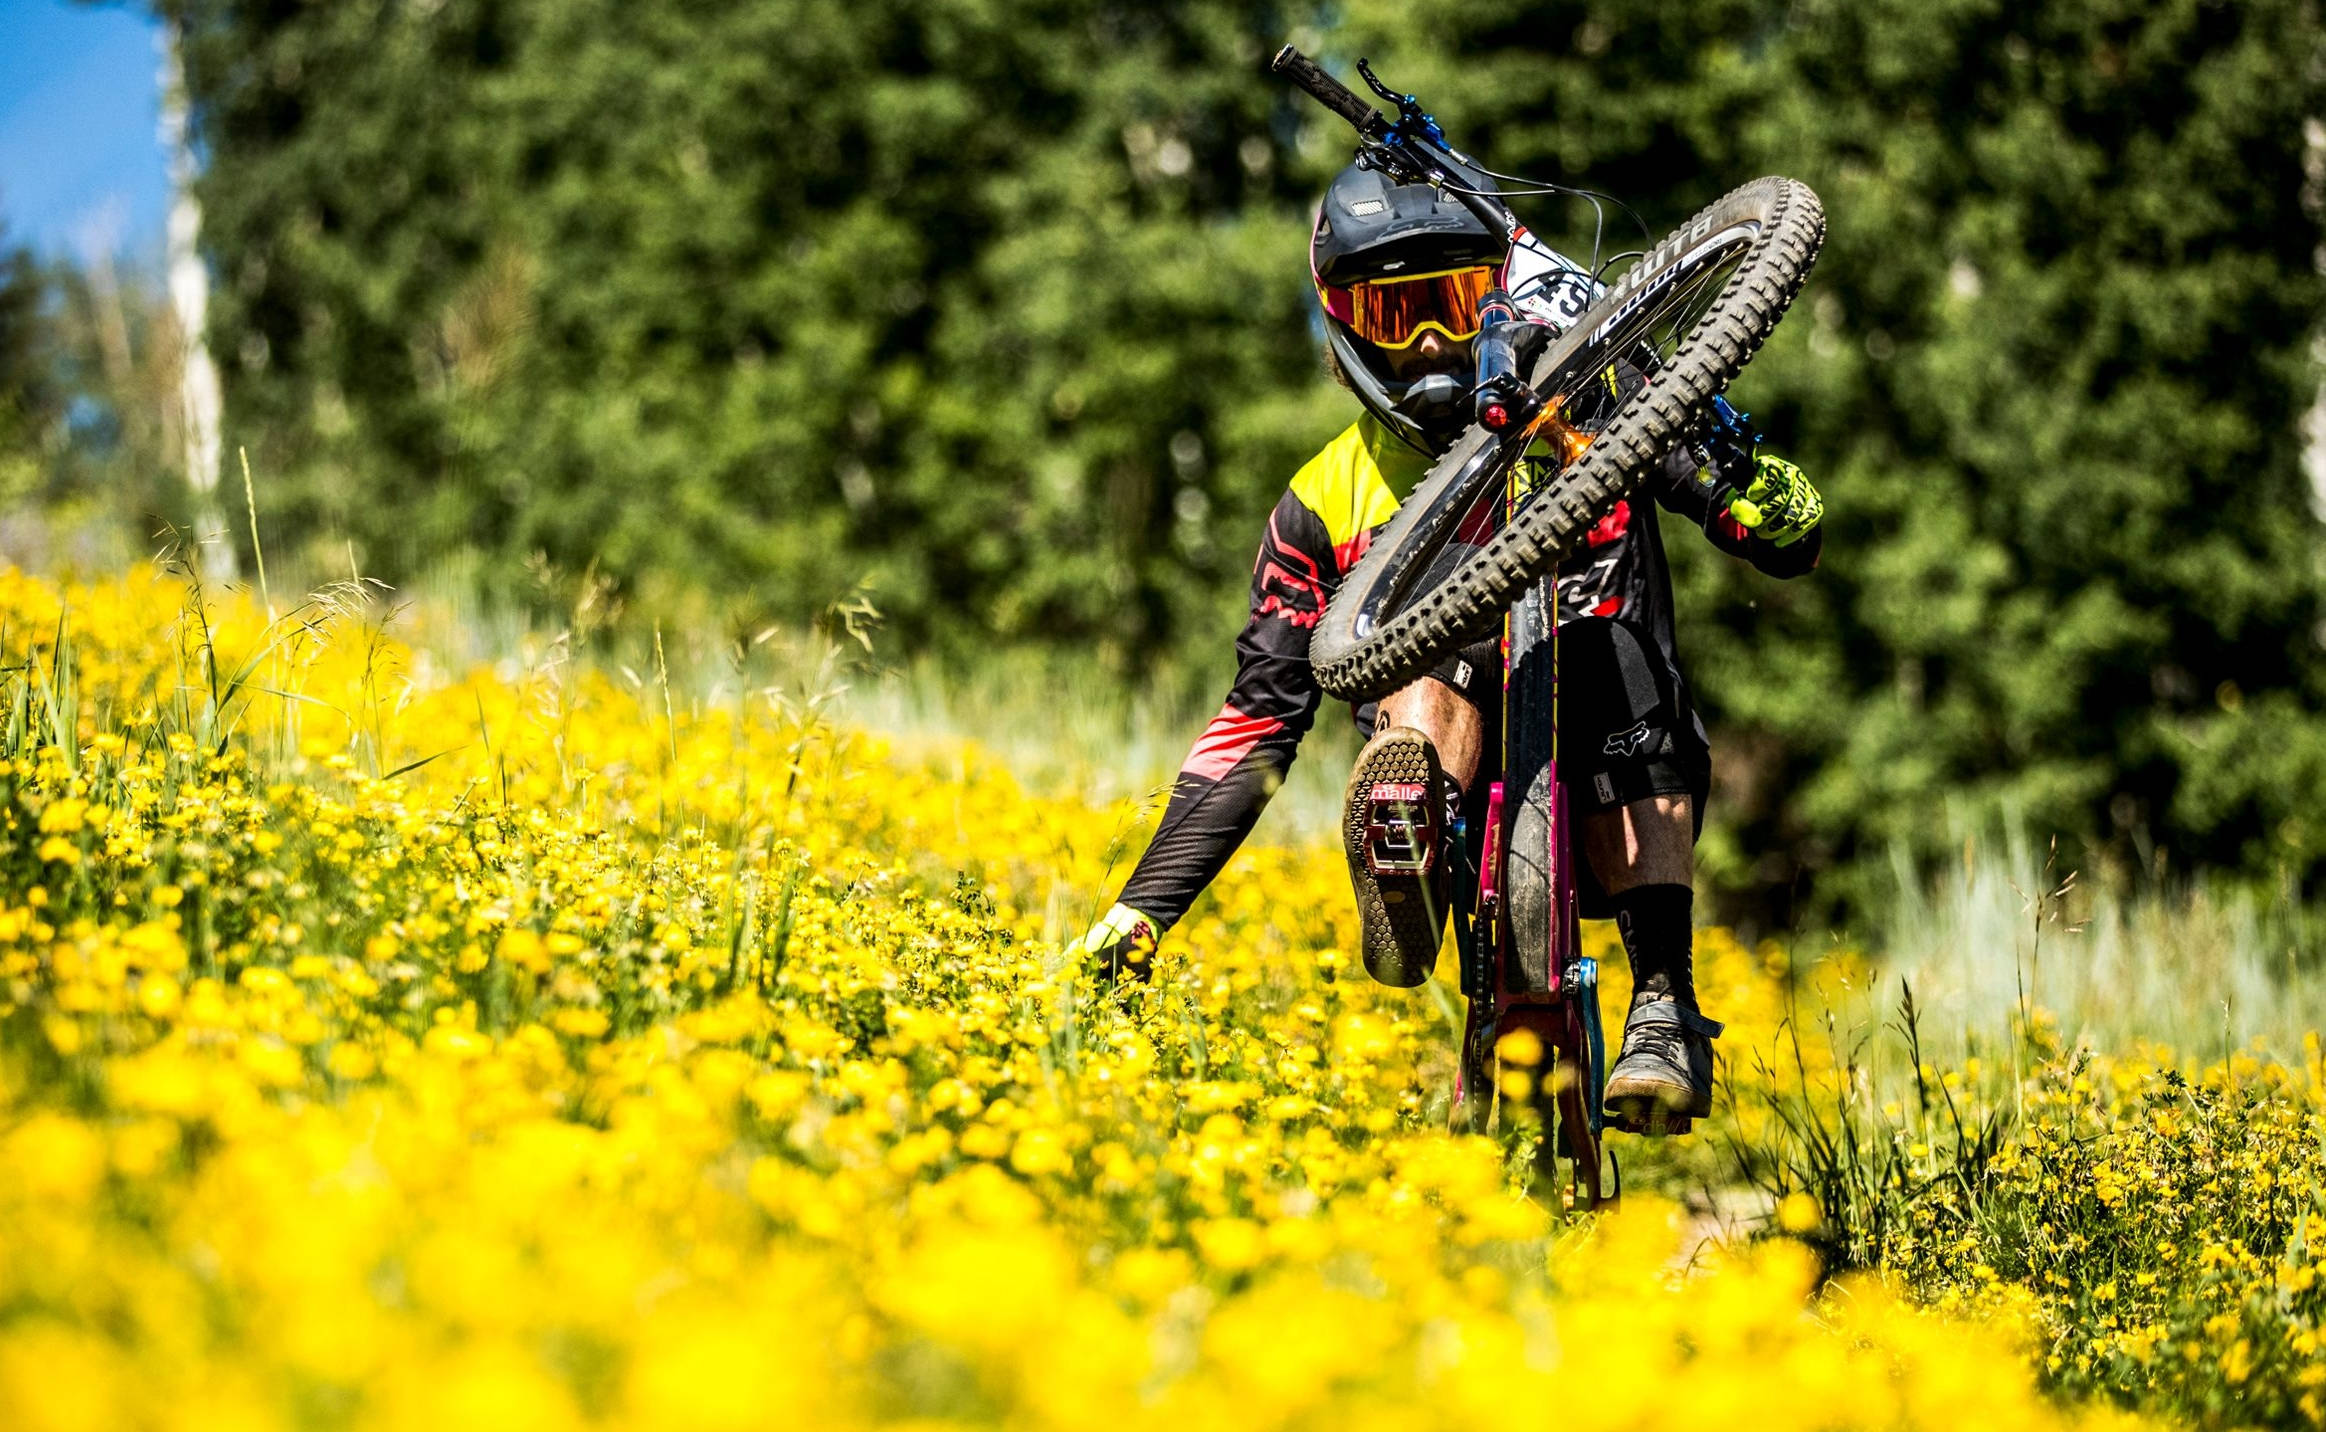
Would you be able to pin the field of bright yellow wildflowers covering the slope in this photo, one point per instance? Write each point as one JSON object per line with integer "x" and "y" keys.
{"x": 671, "y": 1061}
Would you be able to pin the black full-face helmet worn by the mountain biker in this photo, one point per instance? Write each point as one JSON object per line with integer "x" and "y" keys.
{"x": 1374, "y": 229}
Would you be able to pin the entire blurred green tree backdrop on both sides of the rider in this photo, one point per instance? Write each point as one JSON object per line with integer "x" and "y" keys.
{"x": 1004, "y": 306}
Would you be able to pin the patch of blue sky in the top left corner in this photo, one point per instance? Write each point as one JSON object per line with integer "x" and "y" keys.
{"x": 78, "y": 127}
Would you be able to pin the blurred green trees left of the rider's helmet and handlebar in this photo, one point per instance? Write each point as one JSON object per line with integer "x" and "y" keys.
{"x": 985, "y": 301}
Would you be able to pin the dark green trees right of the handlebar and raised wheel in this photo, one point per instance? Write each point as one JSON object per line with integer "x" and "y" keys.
{"x": 2048, "y": 373}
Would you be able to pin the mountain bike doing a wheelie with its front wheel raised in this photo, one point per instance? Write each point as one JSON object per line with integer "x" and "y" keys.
{"x": 1564, "y": 424}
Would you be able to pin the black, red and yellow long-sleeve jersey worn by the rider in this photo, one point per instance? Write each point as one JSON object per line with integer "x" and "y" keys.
{"x": 1318, "y": 531}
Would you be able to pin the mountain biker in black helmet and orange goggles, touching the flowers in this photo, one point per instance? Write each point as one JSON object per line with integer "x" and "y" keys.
{"x": 1399, "y": 271}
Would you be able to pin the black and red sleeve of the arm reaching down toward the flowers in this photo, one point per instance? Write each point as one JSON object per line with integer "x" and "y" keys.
{"x": 1243, "y": 754}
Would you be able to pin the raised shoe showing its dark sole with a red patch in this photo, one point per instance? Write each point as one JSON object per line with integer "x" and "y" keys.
{"x": 1394, "y": 836}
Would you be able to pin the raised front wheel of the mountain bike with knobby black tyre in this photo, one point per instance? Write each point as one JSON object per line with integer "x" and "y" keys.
{"x": 1620, "y": 387}
